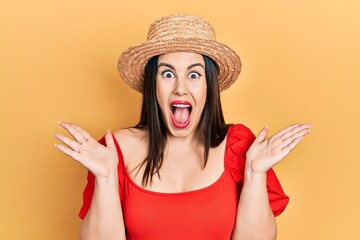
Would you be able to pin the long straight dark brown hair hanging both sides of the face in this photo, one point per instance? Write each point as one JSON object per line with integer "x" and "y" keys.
{"x": 211, "y": 129}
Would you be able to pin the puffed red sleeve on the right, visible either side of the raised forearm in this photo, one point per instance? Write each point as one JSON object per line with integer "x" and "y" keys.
{"x": 239, "y": 139}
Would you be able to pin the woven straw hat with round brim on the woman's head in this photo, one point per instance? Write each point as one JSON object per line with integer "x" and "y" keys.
{"x": 179, "y": 33}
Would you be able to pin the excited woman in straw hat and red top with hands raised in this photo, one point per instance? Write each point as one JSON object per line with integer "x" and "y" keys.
{"x": 181, "y": 172}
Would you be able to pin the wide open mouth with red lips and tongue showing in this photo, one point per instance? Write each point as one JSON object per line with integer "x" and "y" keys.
{"x": 180, "y": 113}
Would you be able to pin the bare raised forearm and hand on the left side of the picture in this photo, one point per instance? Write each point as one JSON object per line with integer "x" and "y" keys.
{"x": 104, "y": 219}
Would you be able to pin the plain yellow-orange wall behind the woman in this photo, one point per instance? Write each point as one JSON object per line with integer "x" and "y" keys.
{"x": 300, "y": 64}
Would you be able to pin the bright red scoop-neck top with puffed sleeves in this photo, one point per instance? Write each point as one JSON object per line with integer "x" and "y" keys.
{"x": 208, "y": 213}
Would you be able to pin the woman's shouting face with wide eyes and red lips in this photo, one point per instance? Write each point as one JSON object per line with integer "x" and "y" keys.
{"x": 181, "y": 91}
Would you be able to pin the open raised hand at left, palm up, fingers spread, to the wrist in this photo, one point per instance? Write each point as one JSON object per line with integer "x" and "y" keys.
{"x": 100, "y": 160}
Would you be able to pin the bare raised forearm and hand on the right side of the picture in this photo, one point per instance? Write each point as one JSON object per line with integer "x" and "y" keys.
{"x": 255, "y": 219}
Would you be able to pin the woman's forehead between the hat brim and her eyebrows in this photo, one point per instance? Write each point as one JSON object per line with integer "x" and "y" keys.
{"x": 181, "y": 58}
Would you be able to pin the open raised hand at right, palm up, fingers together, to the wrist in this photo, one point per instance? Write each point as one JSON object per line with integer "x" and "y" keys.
{"x": 265, "y": 152}
